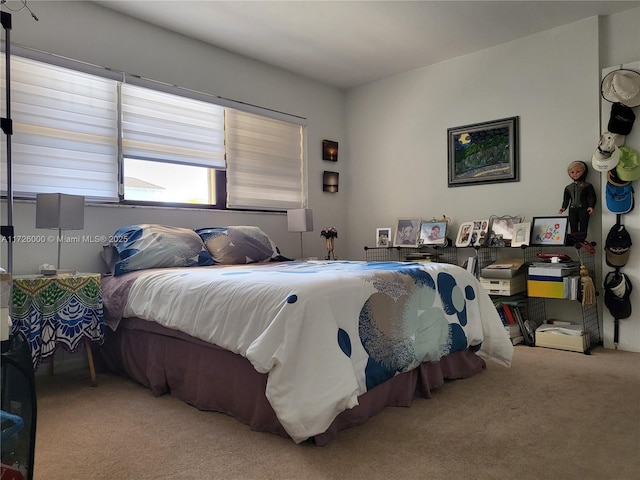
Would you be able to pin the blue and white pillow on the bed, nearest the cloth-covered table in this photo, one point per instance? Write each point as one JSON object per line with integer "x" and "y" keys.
{"x": 154, "y": 246}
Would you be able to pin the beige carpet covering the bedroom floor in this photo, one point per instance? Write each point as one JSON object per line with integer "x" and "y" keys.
{"x": 553, "y": 415}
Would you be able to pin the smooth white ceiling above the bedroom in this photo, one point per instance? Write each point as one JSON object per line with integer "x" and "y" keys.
{"x": 350, "y": 43}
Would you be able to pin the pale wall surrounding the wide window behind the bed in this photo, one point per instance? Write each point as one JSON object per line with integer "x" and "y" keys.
{"x": 90, "y": 33}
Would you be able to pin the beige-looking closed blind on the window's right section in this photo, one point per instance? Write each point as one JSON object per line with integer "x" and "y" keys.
{"x": 264, "y": 162}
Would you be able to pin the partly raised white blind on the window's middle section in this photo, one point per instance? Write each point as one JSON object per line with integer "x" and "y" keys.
{"x": 166, "y": 127}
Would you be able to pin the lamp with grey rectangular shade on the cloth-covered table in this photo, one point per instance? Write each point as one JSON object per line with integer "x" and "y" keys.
{"x": 61, "y": 211}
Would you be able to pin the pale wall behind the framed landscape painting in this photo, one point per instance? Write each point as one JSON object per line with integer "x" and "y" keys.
{"x": 397, "y": 131}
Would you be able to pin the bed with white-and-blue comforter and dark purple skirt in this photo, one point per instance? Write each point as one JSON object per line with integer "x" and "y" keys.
{"x": 298, "y": 348}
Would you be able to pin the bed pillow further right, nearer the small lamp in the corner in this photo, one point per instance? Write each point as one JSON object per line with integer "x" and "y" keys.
{"x": 239, "y": 245}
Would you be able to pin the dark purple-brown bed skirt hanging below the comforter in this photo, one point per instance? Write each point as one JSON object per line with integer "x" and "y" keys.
{"x": 211, "y": 378}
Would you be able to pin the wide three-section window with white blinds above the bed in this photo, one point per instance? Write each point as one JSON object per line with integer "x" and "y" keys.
{"x": 123, "y": 138}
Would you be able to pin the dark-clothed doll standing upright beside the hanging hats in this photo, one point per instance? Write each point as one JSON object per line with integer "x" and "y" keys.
{"x": 580, "y": 198}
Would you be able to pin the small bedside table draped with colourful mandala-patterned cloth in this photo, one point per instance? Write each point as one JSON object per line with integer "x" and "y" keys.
{"x": 61, "y": 310}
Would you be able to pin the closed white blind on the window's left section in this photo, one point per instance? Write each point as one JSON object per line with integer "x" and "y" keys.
{"x": 64, "y": 131}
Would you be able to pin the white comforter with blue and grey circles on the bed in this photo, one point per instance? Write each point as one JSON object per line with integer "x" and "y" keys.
{"x": 325, "y": 332}
